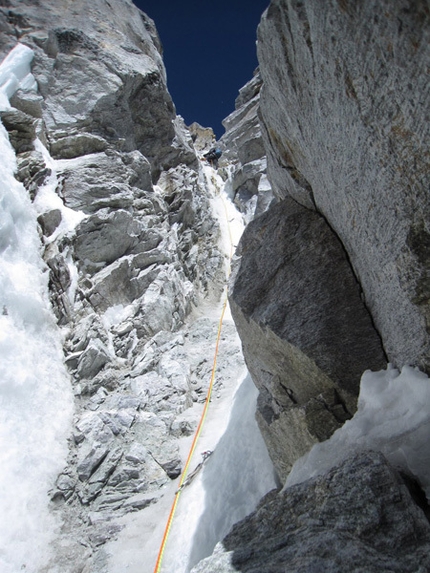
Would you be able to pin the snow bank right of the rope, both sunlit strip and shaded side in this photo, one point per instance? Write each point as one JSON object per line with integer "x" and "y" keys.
{"x": 233, "y": 480}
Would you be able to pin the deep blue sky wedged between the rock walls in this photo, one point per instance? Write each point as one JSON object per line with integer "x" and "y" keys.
{"x": 209, "y": 53}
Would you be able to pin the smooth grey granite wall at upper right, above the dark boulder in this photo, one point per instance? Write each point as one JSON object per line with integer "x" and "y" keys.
{"x": 343, "y": 112}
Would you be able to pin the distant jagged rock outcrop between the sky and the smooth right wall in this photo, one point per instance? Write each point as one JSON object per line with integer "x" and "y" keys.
{"x": 245, "y": 153}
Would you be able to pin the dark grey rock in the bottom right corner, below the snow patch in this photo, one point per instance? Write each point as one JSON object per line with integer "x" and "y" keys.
{"x": 359, "y": 517}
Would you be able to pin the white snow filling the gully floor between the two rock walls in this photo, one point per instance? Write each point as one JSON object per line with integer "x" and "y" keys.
{"x": 235, "y": 476}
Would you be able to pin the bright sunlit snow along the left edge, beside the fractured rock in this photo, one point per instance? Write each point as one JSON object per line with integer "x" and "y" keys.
{"x": 35, "y": 392}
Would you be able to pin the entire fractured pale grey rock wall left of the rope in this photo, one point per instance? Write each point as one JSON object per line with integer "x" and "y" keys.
{"x": 132, "y": 247}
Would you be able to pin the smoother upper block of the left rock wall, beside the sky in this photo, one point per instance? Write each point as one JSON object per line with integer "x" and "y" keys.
{"x": 121, "y": 102}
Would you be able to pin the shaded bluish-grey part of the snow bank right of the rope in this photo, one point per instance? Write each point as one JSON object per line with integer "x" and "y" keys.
{"x": 235, "y": 477}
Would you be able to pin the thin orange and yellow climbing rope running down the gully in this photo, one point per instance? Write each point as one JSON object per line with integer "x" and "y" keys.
{"x": 202, "y": 418}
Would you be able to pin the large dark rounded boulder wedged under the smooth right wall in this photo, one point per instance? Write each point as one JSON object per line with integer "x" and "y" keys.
{"x": 307, "y": 336}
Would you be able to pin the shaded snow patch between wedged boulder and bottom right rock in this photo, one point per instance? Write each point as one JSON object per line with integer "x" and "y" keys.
{"x": 393, "y": 417}
